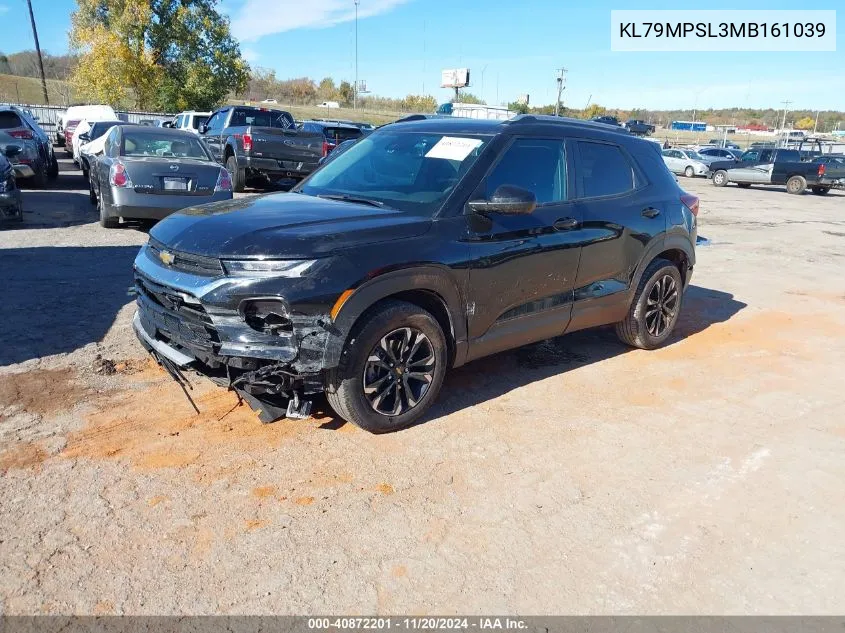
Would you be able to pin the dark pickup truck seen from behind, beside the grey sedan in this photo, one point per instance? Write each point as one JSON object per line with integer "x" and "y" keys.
{"x": 259, "y": 143}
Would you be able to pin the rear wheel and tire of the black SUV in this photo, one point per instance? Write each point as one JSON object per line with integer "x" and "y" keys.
{"x": 654, "y": 311}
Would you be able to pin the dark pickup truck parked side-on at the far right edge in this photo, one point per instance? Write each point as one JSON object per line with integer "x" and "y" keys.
{"x": 770, "y": 166}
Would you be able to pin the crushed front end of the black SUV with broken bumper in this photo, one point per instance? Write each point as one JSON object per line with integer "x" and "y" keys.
{"x": 241, "y": 330}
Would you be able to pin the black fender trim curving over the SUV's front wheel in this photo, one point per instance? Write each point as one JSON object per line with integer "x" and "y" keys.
{"x": 436, "y": 280}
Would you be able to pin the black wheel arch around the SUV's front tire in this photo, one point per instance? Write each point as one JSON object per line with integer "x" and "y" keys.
{"x": 429, "y": 287}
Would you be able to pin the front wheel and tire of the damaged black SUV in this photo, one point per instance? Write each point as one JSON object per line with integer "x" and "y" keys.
{"x": 391, "y": 369}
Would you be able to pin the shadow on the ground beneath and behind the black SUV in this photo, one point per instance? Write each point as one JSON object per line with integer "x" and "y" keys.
{"x": 494, "y": 376}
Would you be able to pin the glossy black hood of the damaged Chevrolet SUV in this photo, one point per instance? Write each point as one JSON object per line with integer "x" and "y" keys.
{"x": 283, "y": 225}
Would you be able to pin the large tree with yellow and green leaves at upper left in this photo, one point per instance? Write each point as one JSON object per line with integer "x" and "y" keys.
{"x": 170, "y": 55}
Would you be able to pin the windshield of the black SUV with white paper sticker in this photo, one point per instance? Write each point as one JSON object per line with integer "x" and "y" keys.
{"x": 412, "y": 172}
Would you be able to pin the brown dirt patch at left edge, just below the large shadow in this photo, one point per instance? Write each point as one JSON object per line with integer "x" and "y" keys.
{"x": 42, "y": 392}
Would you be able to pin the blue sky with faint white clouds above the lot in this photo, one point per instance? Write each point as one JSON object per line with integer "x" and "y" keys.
{"x": 514, "y": 45}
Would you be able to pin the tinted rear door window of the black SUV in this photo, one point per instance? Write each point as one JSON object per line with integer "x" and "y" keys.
{"x": 603, "y": 170}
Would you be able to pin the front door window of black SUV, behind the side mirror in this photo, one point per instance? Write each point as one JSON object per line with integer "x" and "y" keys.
{"x": 538, "y": 165}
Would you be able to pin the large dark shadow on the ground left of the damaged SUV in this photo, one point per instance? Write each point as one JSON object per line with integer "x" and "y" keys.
{"x": 56, "y": 300}
